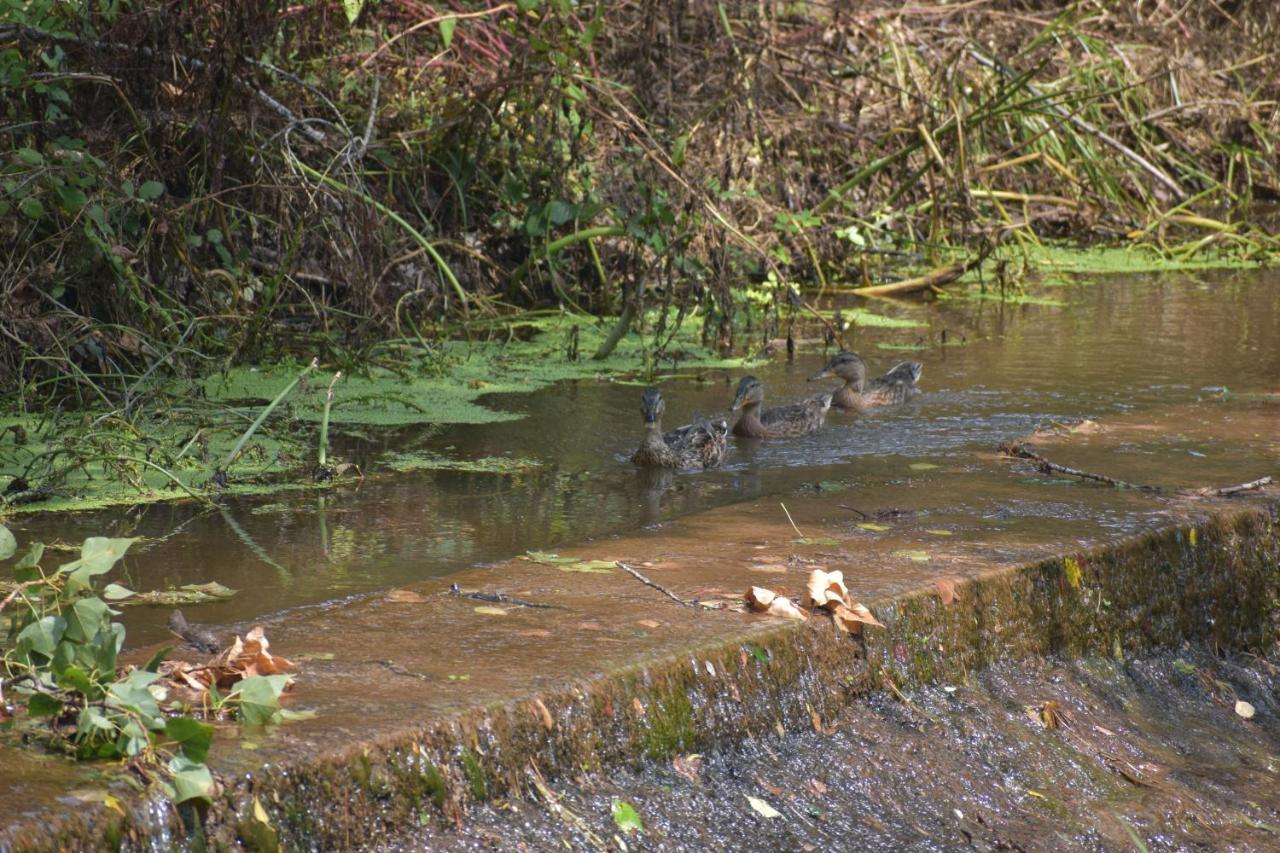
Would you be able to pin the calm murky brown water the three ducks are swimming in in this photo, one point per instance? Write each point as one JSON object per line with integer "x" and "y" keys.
{"x": 1151, "y": 353}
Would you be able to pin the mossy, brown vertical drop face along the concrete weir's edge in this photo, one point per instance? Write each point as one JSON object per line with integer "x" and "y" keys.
{"x": 1217, "y": 580}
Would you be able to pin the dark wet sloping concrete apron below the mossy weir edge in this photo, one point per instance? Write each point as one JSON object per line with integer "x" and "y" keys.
{"x": 1043, "y": 755}
